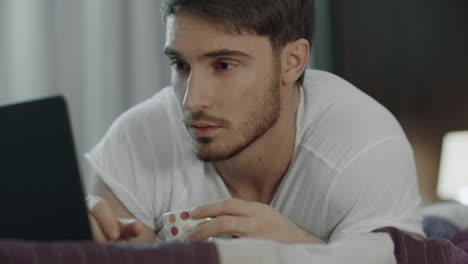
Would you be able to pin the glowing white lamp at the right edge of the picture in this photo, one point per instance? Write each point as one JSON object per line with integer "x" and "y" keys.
{"x": 453, "y": 173}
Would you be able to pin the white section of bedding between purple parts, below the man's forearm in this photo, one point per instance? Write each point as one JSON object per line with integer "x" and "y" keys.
{"x": 370, "y": 248}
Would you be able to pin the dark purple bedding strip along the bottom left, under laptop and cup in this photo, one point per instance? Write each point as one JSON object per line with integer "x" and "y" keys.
{"x": 24, "y": 252}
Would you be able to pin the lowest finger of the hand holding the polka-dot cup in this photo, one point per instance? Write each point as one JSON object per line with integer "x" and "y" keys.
{"x": 223, "y": 225}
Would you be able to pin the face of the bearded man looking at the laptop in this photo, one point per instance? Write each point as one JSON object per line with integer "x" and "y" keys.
{"x": 227, "y": 85}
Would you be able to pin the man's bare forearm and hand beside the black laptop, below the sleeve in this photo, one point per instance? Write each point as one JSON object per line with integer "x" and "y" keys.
{"x": 109, "y": 217}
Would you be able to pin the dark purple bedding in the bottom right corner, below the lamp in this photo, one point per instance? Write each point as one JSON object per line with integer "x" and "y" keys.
{"x": 409, "y": 250}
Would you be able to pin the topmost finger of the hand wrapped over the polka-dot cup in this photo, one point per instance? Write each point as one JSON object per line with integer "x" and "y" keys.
{"x": 235, "y": 207}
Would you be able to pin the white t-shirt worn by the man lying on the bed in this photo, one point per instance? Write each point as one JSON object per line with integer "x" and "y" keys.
{"x": 352, "y": 171}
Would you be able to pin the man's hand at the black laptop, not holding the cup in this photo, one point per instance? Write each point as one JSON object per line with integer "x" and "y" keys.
{"x": 106, "y": 226}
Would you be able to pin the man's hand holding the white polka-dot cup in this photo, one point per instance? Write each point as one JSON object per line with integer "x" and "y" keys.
{"x": 247, "y": 219}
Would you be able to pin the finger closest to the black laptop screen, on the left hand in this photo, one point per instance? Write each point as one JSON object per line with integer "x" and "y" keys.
{"x": 106, "y": 219}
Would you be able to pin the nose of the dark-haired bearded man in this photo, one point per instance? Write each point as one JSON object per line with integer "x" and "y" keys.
{"x": 198, "y": 93}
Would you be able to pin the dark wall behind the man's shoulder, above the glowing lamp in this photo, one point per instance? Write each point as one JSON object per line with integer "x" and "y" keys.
{"x": 411, "y": 56}
